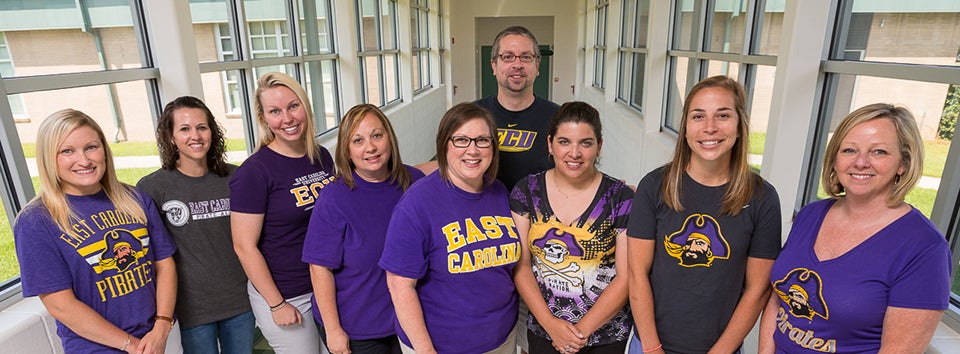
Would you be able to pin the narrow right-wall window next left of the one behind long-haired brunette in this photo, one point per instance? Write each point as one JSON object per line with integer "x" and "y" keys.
{"x": 633, "y": 52}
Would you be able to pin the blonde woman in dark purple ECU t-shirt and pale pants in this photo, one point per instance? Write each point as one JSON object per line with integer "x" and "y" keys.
{"x": 286, "y": 173}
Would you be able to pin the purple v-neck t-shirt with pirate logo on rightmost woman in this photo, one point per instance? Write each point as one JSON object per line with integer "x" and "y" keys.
{"x": 838, "y": 305}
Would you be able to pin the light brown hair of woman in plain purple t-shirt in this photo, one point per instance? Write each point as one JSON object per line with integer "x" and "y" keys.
{"x": 348, "y": 126}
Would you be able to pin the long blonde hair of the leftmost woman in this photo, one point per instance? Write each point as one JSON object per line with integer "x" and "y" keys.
{"x": 53, "y": 131}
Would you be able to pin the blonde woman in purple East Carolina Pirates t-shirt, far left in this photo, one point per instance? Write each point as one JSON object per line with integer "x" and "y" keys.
{"x": 94, "y": 249}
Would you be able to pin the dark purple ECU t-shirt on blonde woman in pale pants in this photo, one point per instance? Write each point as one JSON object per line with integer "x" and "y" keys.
{"x": 284, "y": 189}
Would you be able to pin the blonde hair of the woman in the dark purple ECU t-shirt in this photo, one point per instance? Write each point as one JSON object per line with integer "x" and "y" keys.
{"x": 275, "y": 79}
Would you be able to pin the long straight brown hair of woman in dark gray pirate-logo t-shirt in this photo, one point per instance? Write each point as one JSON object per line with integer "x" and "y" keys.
{"x": 742, "y": 182}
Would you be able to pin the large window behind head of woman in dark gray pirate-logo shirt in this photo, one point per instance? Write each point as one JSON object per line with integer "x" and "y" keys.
{"x": 724, "y": 38}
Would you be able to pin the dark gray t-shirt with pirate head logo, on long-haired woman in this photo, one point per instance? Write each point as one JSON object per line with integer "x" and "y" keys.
{"x": 700, "y": 256}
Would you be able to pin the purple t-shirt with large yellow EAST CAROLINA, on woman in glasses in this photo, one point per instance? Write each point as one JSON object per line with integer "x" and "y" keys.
{"x": 461, "y": 247}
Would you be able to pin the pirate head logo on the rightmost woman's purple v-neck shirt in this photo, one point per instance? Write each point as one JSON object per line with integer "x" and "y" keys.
{"x": 802, "y": 289}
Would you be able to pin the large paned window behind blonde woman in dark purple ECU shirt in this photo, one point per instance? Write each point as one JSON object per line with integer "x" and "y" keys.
{"x": 267, "y": 41}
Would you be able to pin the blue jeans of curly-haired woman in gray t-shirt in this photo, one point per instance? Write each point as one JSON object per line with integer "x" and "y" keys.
{"x": 234, "y": 334}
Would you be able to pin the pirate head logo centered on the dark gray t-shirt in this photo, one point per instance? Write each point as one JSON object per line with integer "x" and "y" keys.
{"x": 698, "y": 243}
